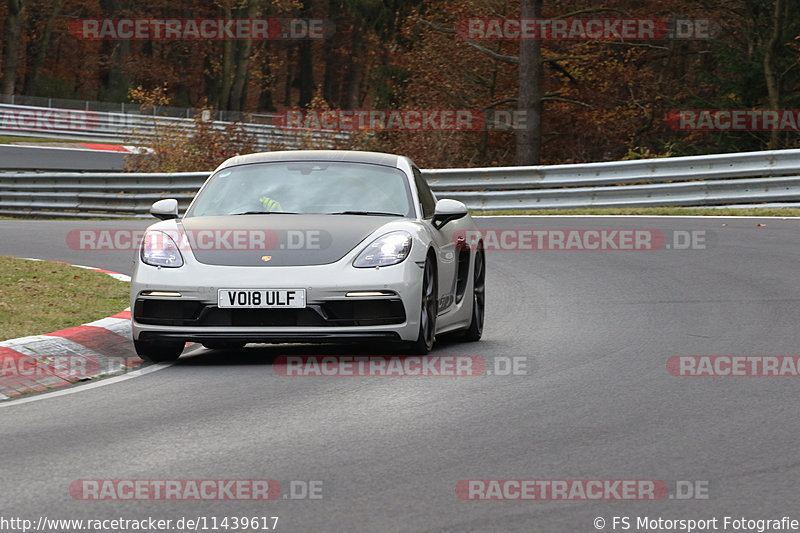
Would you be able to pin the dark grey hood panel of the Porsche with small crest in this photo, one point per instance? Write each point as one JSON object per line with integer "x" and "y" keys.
{"x": 277, "y": 239}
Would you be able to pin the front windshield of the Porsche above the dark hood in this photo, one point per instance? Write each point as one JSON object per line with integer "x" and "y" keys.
{"x": 325, "y": 187}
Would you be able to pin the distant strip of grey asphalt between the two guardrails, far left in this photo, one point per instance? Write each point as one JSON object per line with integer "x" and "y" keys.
{"x": 41, "y": 158}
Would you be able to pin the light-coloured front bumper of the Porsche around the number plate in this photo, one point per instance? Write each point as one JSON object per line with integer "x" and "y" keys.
{"x": 330, "y": 314}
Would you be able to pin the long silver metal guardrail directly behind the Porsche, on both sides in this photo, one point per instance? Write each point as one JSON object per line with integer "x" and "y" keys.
{"x": 721, "y": 179}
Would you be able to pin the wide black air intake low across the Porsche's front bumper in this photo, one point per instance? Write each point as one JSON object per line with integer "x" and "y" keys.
{"x": 366, "y": 312}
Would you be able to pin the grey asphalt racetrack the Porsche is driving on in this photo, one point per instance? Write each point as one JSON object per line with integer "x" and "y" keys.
{"x": 596, "y": 329}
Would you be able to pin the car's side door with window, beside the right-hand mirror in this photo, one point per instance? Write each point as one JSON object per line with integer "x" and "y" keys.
{"x": 445, "y": 242}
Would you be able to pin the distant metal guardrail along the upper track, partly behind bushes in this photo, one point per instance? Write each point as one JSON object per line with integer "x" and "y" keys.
{"x": 137, "y": 127}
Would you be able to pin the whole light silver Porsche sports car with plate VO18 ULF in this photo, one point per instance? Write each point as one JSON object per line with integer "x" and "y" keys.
{"x": 308, "y": 246}
